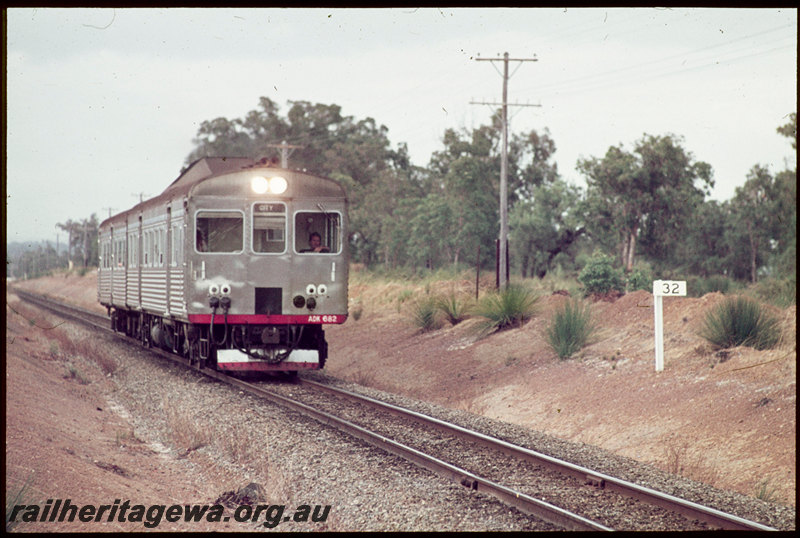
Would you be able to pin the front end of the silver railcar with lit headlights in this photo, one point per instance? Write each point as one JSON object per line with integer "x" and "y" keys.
{"x": 260, "y": 293}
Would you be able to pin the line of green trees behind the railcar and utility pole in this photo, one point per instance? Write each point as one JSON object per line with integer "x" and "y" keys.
{"x": 644, "y": 205}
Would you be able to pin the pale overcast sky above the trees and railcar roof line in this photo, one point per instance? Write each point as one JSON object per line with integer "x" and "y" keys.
{"x": 103, "y": 104}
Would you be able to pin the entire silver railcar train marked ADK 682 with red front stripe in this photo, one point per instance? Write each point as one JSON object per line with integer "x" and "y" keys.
{"x": 237, "y": 265}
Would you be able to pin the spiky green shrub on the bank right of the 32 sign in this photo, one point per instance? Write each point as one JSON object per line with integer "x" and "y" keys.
{"x": 739, "y": 321}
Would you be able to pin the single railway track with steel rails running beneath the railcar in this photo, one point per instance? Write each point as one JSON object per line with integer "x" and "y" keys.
{"x": 556, "y": 491}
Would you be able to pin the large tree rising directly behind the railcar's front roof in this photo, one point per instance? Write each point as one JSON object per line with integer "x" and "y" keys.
{"x": 324, "y": 141}
